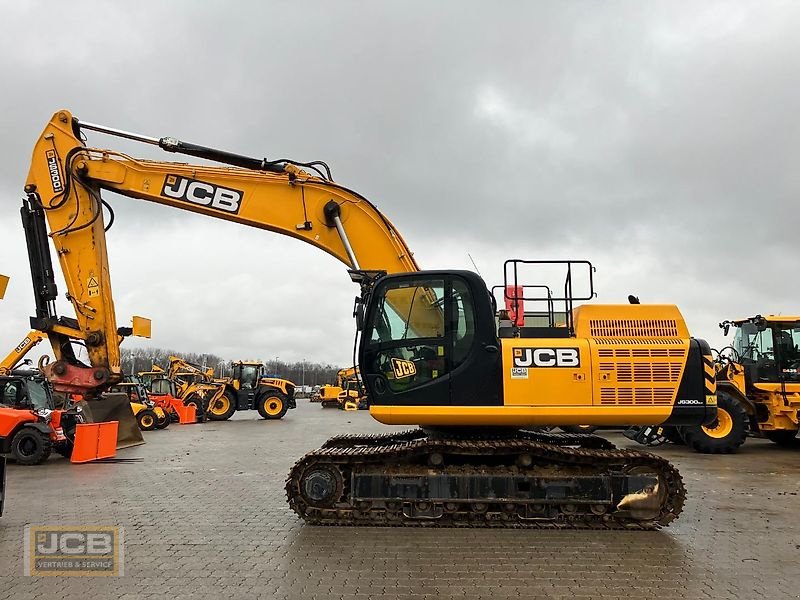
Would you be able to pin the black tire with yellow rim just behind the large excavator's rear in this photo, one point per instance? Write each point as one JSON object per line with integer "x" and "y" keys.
{"x": 726, "y": 436}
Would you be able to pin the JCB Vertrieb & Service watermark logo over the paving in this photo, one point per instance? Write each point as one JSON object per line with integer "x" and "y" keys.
{"x": 74, "y": 550}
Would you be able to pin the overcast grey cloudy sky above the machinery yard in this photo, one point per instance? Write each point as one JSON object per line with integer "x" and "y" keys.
{"x": 657, "y": 139}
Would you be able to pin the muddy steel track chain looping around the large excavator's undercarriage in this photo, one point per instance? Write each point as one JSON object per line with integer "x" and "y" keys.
{"x": 346, "y": 452}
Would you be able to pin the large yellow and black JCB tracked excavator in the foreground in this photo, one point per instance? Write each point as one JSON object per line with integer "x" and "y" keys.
{"x": 430, "y": 353}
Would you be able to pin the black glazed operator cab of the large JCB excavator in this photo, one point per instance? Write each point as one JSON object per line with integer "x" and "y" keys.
{"x": 430, "y": 339}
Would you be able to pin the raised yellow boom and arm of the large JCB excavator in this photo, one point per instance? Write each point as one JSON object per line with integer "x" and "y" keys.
{"x": 66, "y": 177}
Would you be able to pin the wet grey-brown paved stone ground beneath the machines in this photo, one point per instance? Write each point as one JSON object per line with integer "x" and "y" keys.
{"x": 205, "y": 516}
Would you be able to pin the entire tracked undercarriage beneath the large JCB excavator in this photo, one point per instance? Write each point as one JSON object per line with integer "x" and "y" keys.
{"x": 518, "y": 479}
